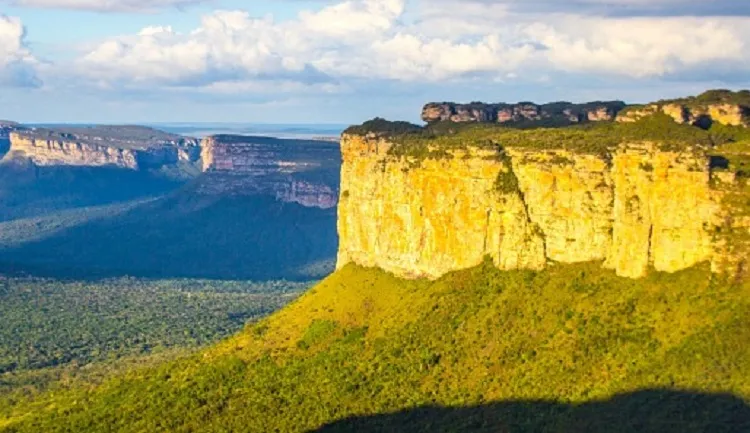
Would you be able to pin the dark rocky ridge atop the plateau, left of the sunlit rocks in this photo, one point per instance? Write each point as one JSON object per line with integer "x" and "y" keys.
{"x": 524, "y": 112}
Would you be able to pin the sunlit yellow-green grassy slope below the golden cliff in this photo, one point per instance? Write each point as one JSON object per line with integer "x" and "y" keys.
{"x": 365, "y": 343}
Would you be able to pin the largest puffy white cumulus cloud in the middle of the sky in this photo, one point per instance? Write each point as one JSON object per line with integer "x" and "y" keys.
{"x": 358, "y": 38}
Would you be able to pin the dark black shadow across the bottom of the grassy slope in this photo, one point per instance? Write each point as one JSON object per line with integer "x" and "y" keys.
{"x": 650, "y": 411}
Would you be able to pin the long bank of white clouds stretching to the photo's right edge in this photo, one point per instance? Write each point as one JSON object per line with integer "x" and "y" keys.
{"x": 359, "y": 40}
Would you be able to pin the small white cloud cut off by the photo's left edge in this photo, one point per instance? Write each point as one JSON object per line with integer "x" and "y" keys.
{"x": 17, "y": 65}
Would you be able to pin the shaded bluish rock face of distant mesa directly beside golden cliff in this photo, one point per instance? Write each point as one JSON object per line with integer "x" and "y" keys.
{"x": 294, "y": 171}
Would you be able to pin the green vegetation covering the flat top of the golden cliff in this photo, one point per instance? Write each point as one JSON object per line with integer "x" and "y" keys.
{"x": 556, "y": 133}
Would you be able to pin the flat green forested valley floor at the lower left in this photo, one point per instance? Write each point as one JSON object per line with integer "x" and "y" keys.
{"x": 48, "y": 323}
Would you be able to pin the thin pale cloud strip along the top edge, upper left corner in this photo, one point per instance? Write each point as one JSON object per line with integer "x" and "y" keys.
{"x": 106, "y": 5}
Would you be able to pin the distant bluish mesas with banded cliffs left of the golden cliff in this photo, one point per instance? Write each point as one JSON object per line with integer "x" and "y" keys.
{"x": 295, "y": 171}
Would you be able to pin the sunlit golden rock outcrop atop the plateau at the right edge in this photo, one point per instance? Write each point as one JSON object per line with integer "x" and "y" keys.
{"x": 724, "y": 107}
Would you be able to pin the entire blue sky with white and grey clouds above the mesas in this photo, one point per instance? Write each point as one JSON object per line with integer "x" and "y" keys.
{"x": 345, "y": 61}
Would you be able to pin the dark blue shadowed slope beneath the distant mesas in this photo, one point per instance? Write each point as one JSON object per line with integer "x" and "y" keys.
{"x": 185, "y": 235}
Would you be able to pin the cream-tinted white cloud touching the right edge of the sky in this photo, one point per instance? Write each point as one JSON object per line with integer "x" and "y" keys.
{"x": 642, "y": 47}
